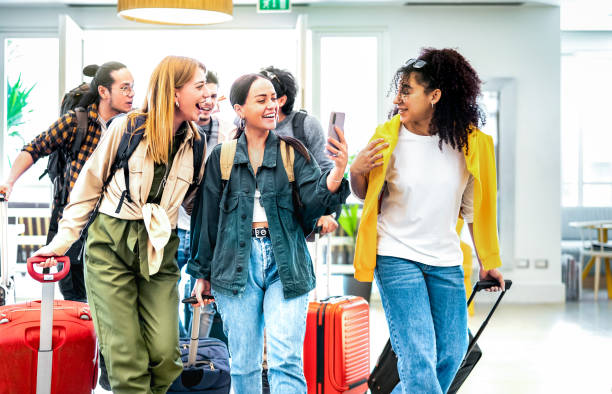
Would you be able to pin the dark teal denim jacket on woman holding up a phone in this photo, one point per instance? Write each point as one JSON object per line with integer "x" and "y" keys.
{"x": 222, "y": 217}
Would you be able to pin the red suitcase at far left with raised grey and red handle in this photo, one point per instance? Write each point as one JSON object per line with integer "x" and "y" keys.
{"x": 47, "y": 346}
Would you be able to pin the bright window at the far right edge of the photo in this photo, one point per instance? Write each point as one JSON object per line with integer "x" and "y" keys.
{"x": 586, "y": 143}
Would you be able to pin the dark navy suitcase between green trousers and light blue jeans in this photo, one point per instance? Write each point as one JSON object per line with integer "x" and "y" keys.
{"x": 206, "y": 364}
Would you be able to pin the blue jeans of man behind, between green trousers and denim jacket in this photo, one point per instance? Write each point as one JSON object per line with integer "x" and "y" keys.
{"x": 185, "y": 311}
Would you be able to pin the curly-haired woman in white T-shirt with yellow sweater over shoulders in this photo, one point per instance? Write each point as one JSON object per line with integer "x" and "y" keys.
{"x": 423, "y": 169}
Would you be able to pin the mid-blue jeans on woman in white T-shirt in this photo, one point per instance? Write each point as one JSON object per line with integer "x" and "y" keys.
{"x": 426, "y": 311}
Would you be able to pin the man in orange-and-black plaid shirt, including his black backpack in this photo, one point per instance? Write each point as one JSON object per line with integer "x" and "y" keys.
{"x": 70, "y": 142}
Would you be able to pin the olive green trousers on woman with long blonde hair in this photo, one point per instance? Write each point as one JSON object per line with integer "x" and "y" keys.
{"x": 135, "y": 318}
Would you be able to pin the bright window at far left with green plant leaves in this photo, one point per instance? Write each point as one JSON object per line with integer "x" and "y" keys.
{"x": 31, "y": 72}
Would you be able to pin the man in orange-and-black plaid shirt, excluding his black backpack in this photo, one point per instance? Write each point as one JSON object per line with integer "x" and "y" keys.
{"x": 111, "y": 93}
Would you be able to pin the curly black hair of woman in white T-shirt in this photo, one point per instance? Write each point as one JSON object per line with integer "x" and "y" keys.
{"x": 457, "y": 110}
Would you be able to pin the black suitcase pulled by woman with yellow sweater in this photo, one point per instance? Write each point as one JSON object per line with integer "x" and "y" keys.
{"x": 385, "y": 377}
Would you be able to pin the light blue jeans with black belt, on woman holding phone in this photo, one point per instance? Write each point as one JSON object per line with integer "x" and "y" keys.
{"x": 244, "y": 317}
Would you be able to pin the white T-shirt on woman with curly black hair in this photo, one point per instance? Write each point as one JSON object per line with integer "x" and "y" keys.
{"x": 426, "y": 190}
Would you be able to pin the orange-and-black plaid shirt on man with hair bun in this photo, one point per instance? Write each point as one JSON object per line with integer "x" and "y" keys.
{"x": 61, "y": 135}
